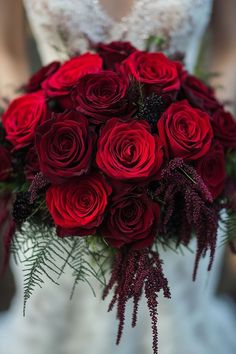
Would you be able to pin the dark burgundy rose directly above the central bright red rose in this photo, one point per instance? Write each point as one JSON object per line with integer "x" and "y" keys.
{"x": 101, "y": 96}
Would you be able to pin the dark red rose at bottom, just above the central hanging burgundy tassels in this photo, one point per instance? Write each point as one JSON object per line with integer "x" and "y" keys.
{"x": 132, "y": 219}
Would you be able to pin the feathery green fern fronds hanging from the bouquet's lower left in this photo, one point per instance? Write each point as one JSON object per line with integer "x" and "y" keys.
{"x": 45, "y": 255}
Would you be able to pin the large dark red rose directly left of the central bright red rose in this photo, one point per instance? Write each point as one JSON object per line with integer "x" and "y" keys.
{"x": 64, "y": 146}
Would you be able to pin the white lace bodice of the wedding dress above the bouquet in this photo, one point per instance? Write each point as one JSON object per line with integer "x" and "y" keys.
{"x": 64, "y": 27}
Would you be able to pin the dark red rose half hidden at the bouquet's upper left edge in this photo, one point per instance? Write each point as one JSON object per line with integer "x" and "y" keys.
{"x": 41, "y": 75}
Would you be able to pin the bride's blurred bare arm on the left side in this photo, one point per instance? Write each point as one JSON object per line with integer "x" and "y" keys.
{"x": 13, "y": 58}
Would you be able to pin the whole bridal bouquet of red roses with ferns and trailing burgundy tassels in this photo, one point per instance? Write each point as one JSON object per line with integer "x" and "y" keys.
{"x": 105, "y": 159}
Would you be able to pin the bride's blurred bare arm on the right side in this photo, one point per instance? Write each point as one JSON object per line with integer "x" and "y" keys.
{"x": 223, "y": 53}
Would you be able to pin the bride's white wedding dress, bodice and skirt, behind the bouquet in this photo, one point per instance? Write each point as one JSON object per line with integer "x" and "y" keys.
{"x": 194, "y": 321}
